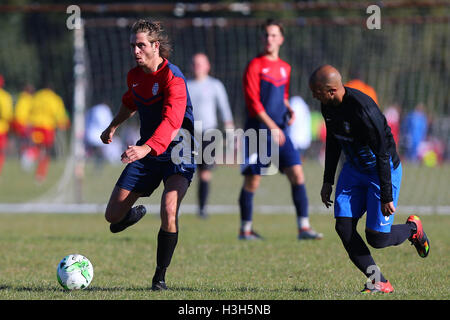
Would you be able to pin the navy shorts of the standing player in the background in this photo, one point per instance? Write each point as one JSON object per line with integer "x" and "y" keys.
{"x": 288, "y": 156}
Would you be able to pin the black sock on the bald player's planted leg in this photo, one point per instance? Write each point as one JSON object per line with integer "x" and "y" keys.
{"x": 356, "y": 248}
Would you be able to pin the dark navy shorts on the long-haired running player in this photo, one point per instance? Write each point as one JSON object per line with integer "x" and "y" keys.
{"x": 145, "y": 175}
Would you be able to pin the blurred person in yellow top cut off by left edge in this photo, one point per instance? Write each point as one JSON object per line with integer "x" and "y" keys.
{"x": 6, "y": 116}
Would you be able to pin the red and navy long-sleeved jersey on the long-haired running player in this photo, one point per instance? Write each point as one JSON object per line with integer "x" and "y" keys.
{"x": 164, "y": 106}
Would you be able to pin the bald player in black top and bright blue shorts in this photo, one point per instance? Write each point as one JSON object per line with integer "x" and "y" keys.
{"x": 370, "y": 178}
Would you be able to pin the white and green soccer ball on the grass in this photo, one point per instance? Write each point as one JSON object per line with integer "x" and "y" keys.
{"x": 75, "y": 272}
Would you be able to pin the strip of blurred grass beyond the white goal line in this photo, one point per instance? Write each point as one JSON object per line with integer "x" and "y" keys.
{"x": 420, "y": 185}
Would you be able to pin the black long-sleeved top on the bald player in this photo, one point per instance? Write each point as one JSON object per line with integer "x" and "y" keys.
{"x": 358, "y": 128}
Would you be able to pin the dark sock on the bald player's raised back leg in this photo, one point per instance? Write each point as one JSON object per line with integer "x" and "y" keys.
{"x": 399, "y": 233}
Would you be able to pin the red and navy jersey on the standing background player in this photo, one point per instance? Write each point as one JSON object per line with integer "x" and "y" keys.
{"x": 266, "y": 85}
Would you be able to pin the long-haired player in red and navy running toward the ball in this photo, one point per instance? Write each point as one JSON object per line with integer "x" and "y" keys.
{"x": 157, "y": 91}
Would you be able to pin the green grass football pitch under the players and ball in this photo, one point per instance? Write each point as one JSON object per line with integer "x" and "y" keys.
{"x": 210, "y": 262}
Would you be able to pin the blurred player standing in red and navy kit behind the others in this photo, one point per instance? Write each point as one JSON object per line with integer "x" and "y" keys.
{"x": 266, "y": 89}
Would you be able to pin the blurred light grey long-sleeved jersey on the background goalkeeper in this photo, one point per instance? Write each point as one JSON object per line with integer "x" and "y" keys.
{"x": 207, "y": 96}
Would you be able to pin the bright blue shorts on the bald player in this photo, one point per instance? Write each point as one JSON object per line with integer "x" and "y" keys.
{"x": 358, "y": 192}
